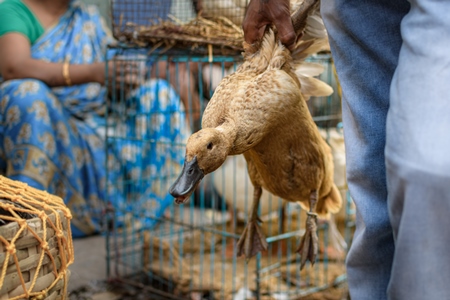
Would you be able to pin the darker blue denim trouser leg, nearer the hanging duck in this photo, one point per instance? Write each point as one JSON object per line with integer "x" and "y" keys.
{"x": 365, "y": 42}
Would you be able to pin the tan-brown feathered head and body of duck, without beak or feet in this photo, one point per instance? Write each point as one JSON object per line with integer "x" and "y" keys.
{"x": 260, "y": 111}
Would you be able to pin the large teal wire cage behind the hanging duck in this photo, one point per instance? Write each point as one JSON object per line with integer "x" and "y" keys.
{"x": 189, "y": 251}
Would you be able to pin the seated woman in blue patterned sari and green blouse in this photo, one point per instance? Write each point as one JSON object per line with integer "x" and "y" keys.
{"x": 52, "y": 110}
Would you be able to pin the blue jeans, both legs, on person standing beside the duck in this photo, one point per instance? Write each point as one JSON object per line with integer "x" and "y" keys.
{"x": 393, "y": 62}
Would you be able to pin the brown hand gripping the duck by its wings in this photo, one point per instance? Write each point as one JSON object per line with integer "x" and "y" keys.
{"x": 261, "y": 13}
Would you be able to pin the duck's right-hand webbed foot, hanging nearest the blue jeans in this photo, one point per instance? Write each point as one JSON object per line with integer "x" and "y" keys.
{"x": 309, "y": 245}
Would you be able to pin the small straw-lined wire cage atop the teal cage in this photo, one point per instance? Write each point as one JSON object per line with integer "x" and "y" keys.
{"x": 190, "y": 23}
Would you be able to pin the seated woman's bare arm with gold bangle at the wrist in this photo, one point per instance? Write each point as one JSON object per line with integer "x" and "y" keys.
{"x": 16, "y": 63}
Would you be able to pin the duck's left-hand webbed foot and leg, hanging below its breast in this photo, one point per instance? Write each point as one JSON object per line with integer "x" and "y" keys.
{"x": 252, "y": 240}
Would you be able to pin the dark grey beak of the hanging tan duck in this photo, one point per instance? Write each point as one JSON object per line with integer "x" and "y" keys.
{"x": 190, "y": 177}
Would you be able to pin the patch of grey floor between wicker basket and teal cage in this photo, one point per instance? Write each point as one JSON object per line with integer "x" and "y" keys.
{"x": 90, "y": 262}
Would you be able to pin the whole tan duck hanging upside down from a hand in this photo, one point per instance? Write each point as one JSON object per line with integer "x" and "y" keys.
{"x": 259, "y": 111}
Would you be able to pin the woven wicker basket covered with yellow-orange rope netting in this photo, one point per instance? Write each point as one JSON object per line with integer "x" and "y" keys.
{"x": 35, "y": 243}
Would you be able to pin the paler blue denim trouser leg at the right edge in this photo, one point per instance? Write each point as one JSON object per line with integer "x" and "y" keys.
{"x": 418, "y": 155}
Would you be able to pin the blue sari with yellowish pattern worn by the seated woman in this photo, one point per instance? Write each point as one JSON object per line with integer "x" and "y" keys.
{"x": 54, "y": 138}
